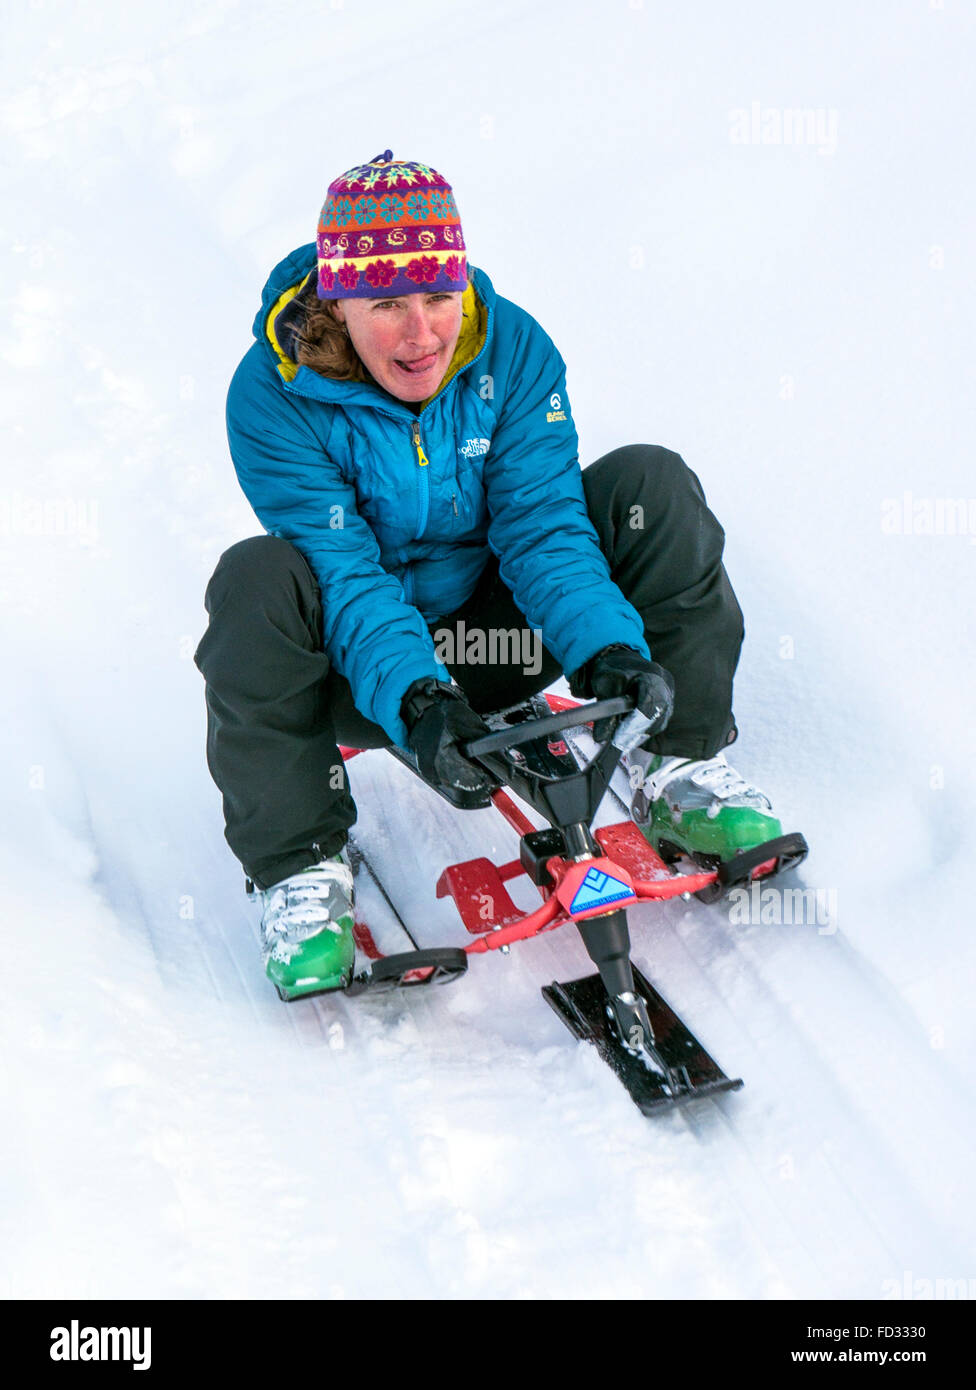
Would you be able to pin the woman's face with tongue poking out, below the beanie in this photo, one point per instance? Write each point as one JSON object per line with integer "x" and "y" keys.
{"x": 405, "y": 344}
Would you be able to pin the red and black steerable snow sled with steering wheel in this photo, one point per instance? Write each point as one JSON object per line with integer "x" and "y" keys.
{"x": 585, "y": 876}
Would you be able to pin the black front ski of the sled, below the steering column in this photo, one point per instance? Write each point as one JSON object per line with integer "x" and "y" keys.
{"x": 583, "y": 1007}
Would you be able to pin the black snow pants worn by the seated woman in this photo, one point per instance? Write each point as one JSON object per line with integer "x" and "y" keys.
{"x": 277, "y": 710}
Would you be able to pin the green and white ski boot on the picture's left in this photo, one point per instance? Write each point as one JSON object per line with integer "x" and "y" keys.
{"x": 308, "y": 931}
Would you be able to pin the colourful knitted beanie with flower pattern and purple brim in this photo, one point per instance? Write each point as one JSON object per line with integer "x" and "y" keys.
{"x": 389, "y": 229}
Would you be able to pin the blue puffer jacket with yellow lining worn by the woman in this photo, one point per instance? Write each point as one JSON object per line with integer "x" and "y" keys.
{"x": 397, "y": 512}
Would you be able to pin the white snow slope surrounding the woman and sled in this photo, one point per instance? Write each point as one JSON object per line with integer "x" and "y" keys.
{"x": 795, "y": 318}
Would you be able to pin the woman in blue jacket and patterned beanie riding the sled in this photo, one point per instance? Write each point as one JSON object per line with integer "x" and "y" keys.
{"x": 404, "y": 436}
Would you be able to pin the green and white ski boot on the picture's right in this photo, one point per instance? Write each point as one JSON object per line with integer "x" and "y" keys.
{"x": 700, "y": 808}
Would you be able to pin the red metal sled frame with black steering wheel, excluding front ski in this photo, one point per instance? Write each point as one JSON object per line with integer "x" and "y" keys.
{"x": 580, "y": 876}
